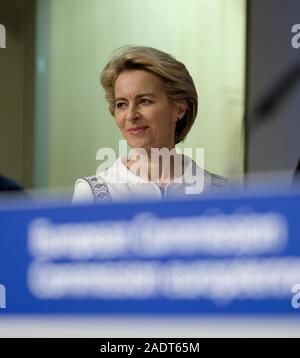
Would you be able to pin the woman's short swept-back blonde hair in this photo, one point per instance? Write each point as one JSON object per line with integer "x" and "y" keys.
{"x": 173, "y": 74}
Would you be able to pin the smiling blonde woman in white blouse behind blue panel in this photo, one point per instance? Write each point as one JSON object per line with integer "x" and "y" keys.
{"x": 154, "y": 102}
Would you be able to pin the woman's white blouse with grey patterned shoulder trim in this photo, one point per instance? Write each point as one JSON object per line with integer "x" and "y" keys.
{"x": 123, "y": 184}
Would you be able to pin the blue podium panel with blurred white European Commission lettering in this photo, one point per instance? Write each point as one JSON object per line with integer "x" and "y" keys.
{"x": 237, "y": 255}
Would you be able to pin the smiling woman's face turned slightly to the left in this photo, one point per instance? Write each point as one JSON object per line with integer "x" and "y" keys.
{"x": 143, "y": 112}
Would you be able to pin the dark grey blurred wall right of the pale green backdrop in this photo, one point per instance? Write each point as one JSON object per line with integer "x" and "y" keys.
{"x": 273, "y": 90}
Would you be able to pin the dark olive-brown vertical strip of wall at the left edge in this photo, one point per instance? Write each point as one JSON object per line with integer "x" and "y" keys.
{"x": 17, "y": 90}
